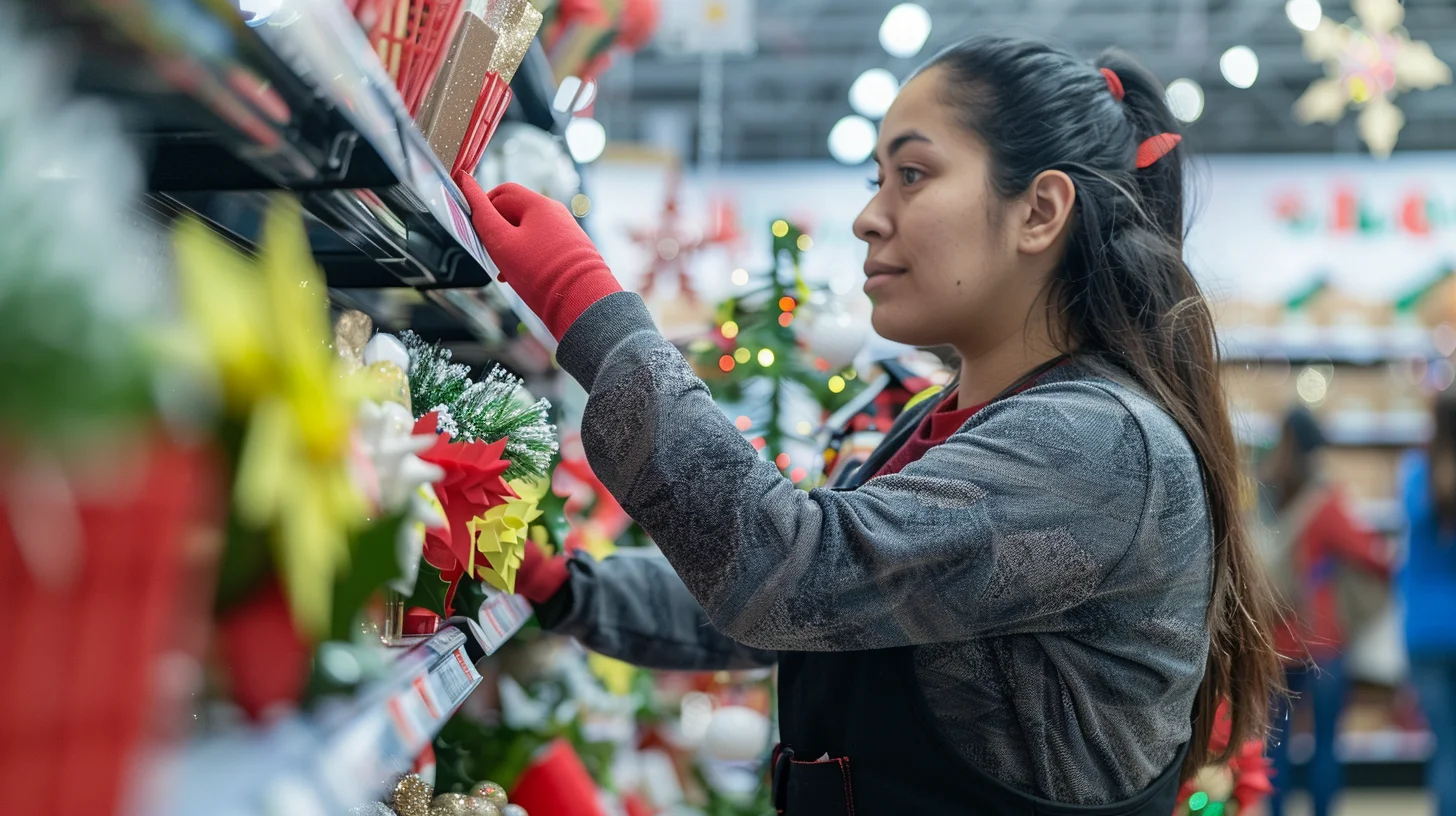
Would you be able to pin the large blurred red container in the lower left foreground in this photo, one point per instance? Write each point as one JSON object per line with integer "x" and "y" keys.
{"x": 87, "y": 658}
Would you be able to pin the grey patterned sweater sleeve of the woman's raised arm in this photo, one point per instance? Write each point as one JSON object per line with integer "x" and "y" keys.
{"x": 1005, "y": 528}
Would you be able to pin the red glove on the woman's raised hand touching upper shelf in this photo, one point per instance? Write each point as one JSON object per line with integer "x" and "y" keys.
{"x": 541, "y": 250}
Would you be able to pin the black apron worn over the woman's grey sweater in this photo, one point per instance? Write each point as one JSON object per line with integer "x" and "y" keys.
{"x": 860, "y": 739}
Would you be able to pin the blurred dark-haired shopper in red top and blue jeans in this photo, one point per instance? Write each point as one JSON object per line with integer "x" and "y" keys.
{"x": 1332, "y": 573}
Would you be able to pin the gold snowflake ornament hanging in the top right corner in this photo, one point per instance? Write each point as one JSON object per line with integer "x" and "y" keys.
{"x": 1368, "y": 66}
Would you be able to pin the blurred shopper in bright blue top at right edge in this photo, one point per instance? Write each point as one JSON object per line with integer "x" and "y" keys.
{"x": 1429, "y": 589}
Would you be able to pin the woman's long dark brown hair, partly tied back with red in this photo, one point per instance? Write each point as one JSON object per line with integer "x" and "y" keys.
{"x": 1126, "y": 295}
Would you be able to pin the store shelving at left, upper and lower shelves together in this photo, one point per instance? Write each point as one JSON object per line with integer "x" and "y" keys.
{"x": 226, "y": 111}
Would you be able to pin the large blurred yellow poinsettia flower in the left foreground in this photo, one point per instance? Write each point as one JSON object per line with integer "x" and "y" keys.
{"x": 266, "y": 326}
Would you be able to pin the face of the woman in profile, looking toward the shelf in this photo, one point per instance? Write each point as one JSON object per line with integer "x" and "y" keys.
{"x": 946, "y": 262}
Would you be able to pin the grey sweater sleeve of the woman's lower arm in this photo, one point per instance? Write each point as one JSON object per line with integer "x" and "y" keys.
{"x": 633, "y": 607}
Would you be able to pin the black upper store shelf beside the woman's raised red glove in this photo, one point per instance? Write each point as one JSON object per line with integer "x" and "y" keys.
{"x": 228, "y": 110}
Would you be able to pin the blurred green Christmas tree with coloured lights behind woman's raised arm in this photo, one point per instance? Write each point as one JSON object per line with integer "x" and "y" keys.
{"x": 756, "y": 358}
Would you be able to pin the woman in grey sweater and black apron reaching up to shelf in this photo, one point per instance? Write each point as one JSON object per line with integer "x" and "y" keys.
{"x": 1036, "y": 594}
